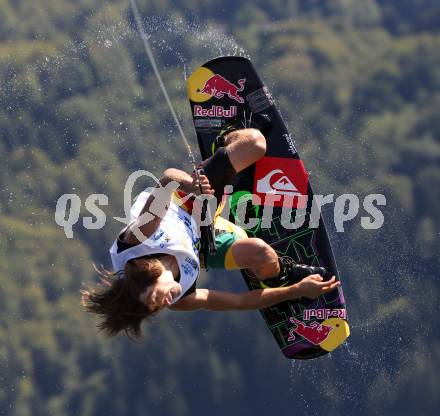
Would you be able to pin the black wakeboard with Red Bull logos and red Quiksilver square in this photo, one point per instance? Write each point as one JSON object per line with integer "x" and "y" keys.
{"x": 228, "y": 90}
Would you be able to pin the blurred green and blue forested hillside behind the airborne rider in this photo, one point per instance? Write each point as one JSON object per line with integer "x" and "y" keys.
{"x": 358, "y": 83}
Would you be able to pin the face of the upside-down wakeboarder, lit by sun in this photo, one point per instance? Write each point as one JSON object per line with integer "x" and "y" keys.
{"x": 162, "y": 292}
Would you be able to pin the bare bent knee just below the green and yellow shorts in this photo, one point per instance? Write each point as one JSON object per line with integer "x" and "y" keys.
{"x": 254, "y": 254}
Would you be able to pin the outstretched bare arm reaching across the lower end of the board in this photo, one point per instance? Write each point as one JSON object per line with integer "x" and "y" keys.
{"x": 213, "y": 300}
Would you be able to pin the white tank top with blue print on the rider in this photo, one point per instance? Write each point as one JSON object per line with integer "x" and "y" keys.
{"x": 176, "y": 236}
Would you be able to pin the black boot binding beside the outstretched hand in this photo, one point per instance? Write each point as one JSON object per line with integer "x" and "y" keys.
{"x": 292, "y": 272}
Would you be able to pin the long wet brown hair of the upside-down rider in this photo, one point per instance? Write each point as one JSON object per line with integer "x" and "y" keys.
{"x": 116, "y": 299}
